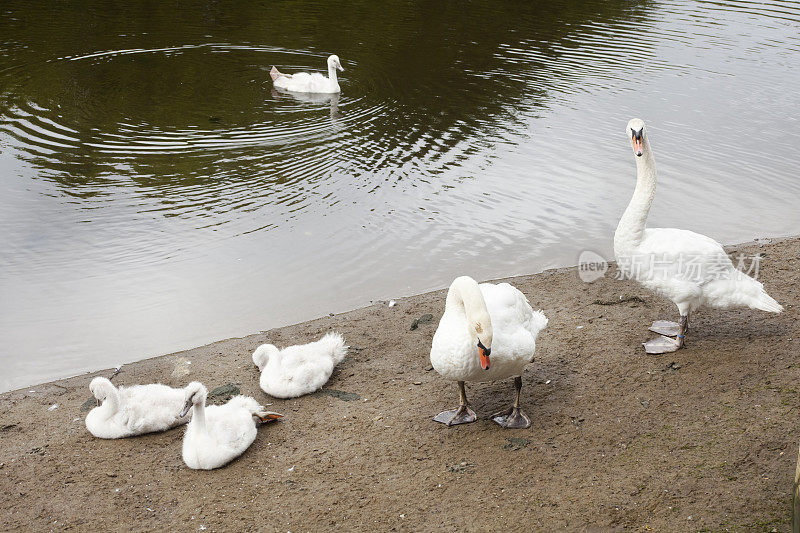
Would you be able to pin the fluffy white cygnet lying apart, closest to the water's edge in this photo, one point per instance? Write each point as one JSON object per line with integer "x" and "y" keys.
{"x": 298, "y": 370}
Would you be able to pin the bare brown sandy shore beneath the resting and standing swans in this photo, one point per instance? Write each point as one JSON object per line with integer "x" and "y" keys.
{"x": 703, "y": 438}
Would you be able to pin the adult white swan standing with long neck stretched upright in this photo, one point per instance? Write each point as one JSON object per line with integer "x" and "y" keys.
{"x": 688, "y": 268}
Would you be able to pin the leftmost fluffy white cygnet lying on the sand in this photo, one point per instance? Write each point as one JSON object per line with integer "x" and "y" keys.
{"x": 128, "y": 411}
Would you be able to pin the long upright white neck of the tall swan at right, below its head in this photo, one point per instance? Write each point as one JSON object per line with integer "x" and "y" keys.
{"x": 632, "y": 224}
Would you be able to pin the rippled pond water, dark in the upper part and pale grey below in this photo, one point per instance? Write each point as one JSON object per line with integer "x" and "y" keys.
{"x": 158, "y": 193}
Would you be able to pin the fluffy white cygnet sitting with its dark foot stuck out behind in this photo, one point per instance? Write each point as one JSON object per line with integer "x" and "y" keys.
{"x": 219, "y": 434}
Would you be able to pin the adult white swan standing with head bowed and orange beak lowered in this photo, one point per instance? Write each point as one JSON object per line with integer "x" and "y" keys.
{"x": 480, "y": 321}
